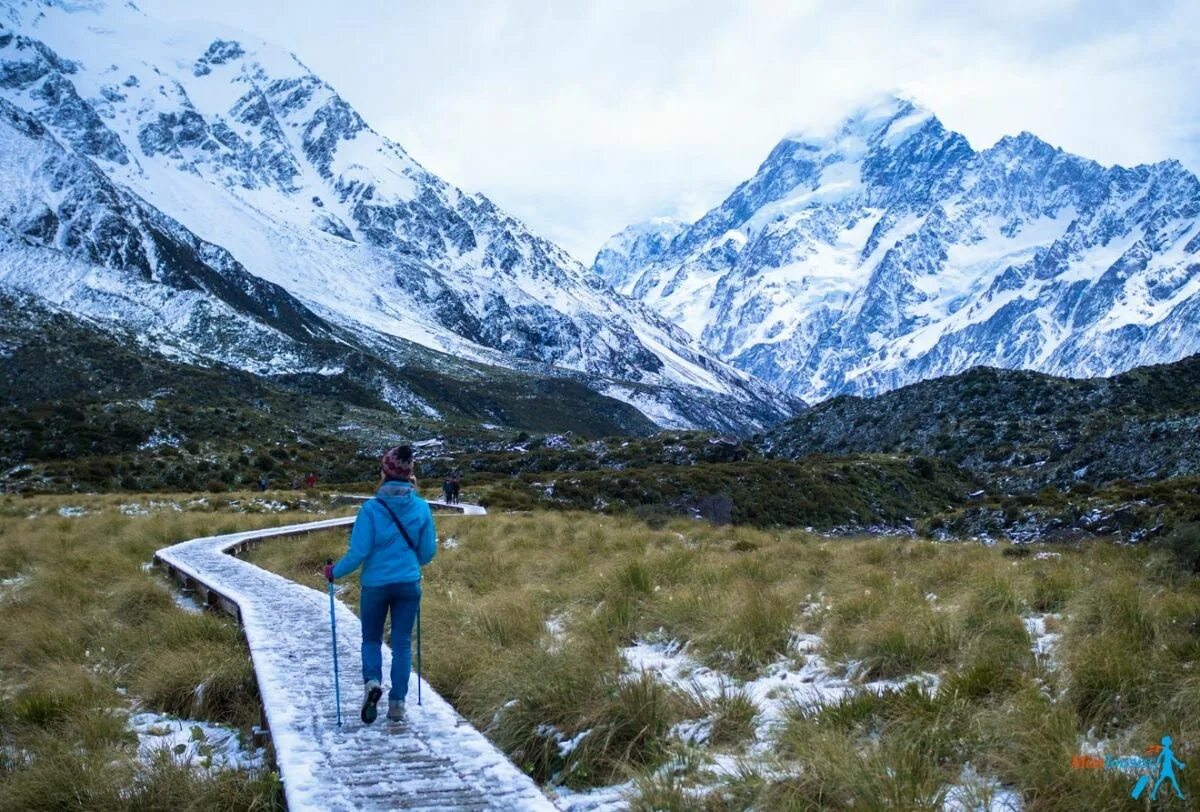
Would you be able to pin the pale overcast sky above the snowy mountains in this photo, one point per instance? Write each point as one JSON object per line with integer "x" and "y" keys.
{"x": 585, "y": 117}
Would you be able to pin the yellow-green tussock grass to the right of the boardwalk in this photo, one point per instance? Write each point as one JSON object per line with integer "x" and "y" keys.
{"x": 884, "y": 608}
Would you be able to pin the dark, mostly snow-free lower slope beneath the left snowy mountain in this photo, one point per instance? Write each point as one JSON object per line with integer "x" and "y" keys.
{"x": 86, "y": 405}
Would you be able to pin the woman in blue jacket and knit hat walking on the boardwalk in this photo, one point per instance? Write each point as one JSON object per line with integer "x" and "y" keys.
{"x": 393, "y": 539}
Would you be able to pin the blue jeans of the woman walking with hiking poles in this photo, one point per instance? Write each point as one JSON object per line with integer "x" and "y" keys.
{"x": 403, "y": 600}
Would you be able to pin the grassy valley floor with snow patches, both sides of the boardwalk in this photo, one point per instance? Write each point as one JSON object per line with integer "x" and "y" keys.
{"x": 625, "y": 667}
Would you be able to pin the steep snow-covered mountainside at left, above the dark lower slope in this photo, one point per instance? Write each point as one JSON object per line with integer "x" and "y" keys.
{"x": 211, "y": 193}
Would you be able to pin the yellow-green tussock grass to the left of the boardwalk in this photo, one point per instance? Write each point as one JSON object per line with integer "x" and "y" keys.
{"x": 86, "y": 631}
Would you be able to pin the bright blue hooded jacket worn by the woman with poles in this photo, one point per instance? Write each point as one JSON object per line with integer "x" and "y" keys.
{"x": 377, "y": 545}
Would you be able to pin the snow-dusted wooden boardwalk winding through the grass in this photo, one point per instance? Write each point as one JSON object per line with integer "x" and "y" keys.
{"x": 434, "y": 761}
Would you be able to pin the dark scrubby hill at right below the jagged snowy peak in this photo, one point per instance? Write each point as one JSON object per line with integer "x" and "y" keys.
{"x": 1022, "y": 429}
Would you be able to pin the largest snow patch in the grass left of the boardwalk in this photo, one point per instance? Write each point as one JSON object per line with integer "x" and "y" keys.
{"x": 202, "y": 745}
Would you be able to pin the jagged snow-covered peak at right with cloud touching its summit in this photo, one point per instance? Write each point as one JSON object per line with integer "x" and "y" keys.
{"x": 890, "y": 251}
